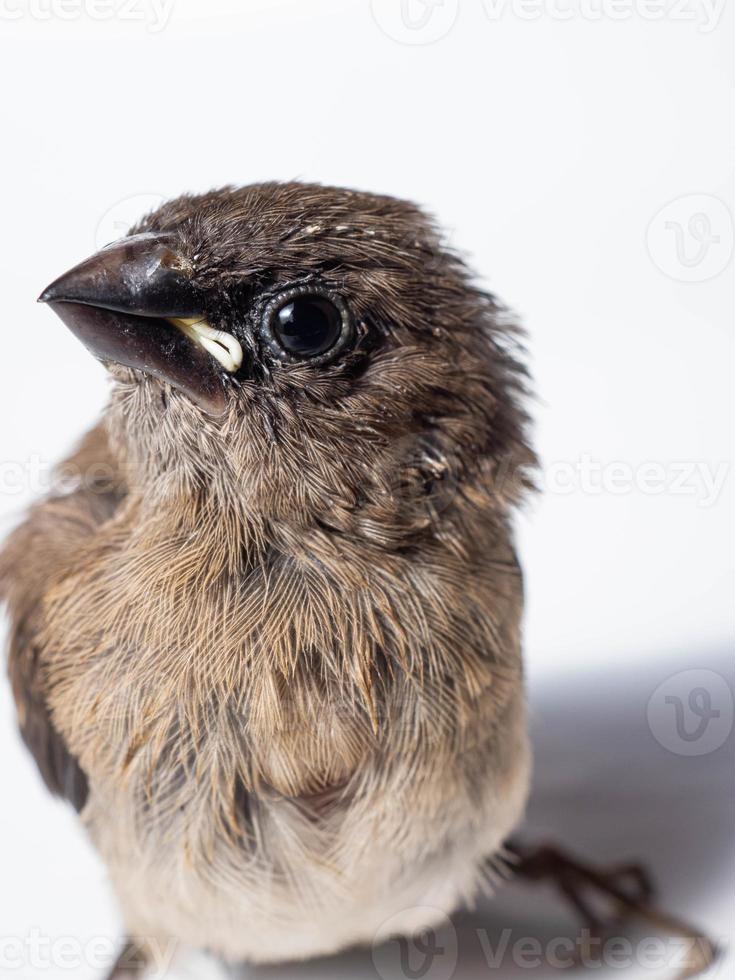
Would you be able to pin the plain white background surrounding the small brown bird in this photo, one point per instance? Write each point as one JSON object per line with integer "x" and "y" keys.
{"x": 548, "y": 147}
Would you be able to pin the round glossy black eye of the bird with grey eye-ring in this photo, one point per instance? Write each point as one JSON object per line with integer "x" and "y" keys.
{"x": 304, "y": 324}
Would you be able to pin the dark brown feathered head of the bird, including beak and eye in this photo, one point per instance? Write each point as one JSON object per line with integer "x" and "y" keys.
{"x": 317, "y": 355}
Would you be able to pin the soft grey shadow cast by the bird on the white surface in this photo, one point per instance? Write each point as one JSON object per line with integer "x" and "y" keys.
{"x": 607, "y": 788}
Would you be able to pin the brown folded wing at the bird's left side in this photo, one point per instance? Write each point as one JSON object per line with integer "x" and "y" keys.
{"x": 34, "y": 557}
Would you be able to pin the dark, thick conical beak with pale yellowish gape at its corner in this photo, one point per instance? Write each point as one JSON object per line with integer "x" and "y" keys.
{"x": 134, "y": 303}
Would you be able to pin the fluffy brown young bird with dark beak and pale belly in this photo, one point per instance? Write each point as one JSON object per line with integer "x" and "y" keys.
{"x": 268, "y": 643}
